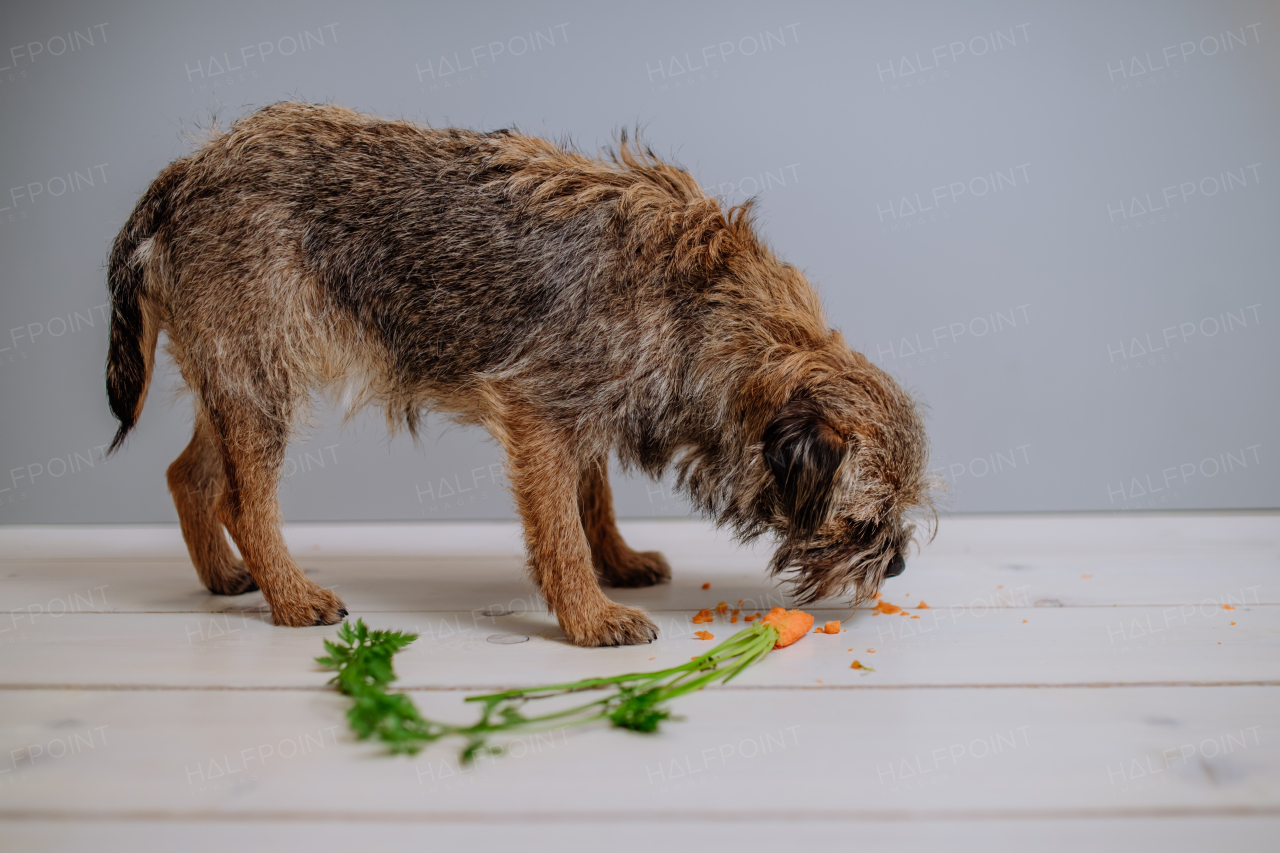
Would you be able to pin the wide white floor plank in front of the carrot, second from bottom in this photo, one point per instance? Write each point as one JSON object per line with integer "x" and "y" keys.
{"x": 766, "y": 755}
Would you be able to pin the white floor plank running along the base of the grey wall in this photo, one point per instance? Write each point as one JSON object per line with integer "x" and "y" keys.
{"x": 450, "y": 583}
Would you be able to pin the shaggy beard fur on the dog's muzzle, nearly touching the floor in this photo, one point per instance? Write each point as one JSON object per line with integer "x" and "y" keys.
{"x": 852, "y": 559}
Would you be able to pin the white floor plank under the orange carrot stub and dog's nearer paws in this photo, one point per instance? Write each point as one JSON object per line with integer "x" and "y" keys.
{"x": 943, "y": 647}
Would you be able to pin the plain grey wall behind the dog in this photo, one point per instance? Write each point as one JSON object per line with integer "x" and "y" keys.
{"x": 1055, "y": 223}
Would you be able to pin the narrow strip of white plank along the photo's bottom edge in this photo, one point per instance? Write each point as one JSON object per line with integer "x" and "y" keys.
{"x": 318, "y": 836}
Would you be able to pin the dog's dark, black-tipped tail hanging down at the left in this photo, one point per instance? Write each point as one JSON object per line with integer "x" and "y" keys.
{"x": 135, "y": 322}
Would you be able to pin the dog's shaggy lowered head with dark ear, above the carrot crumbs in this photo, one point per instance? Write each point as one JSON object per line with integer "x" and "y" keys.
{"x": 847, "y": 458}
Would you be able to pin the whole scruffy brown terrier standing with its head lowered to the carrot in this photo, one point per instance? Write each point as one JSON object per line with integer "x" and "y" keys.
{"x": 574, "y": 307}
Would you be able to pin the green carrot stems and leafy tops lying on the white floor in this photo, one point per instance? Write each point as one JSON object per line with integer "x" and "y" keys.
{"x": 636, "y": 701}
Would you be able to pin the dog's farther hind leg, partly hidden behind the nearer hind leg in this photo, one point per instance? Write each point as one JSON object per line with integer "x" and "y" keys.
{"x": 198, "y": 482}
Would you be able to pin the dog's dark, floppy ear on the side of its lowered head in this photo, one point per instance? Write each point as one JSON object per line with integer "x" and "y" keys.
{"x": 804, "y": 454}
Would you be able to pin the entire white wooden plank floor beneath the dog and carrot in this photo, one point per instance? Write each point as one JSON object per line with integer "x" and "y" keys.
{"x": 1077, "y": 682}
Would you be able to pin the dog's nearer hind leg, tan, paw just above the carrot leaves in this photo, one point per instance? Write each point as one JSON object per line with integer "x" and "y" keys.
{"x": 253, "y": 446}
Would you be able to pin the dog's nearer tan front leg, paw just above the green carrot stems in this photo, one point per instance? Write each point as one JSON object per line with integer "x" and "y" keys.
{"x": 545, "y": 478}
